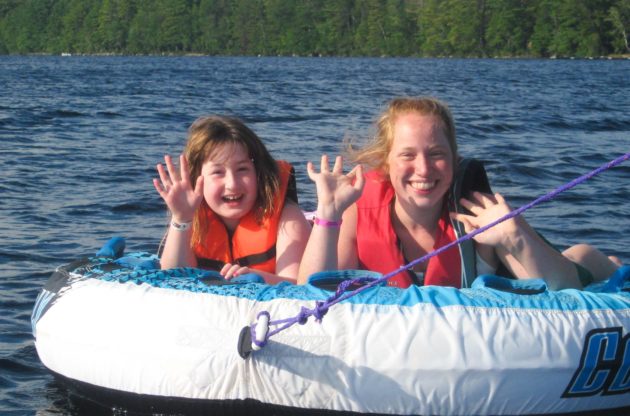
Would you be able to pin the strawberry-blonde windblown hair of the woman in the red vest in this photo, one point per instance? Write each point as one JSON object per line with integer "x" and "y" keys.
{"x": 374, "y": 154}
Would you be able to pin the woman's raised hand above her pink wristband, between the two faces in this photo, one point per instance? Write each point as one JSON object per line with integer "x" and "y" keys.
{"x": 335, "y": 191}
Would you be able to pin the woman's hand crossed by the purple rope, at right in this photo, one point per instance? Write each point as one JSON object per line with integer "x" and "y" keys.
{"x": 485, "y": 209}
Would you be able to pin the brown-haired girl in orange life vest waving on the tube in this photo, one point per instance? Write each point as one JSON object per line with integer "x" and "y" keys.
{"x": 231, "y": 205}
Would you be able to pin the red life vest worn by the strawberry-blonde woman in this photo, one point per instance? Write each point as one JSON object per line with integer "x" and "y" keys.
{"x": 378, "y": 245}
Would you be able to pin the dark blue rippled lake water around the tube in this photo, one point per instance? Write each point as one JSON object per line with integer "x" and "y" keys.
{"x": 80, "y": 136}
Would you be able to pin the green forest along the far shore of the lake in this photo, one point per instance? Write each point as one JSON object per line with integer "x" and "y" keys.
{"x": 424, "y": 28}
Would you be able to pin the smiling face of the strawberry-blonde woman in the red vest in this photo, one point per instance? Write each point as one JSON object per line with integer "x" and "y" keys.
{"x": 420, "y": 161}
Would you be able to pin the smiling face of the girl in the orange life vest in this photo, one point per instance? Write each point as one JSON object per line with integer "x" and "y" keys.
{"x": 230, "y": 186}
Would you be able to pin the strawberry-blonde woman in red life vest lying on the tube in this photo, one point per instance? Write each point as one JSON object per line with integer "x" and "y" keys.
{"x": 399, "y": 211}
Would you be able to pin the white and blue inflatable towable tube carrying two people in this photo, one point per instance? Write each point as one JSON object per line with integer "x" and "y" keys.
{"x": 502, "y": 347}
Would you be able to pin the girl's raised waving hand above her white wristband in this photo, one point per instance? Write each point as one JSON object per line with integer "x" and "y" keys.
{"x": 176, "y": 190}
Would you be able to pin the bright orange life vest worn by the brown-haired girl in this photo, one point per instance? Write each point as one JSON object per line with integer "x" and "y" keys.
{"x": 253, "y": 243}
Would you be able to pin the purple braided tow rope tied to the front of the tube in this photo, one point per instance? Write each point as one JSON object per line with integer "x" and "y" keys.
{"x": 321, "y": 307}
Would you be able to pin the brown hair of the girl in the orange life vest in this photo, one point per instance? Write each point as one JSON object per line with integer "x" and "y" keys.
{"x": 209, "y": 134}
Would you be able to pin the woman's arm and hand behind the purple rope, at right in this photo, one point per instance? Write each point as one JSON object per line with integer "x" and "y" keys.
{"x": 515, "y": 240}
